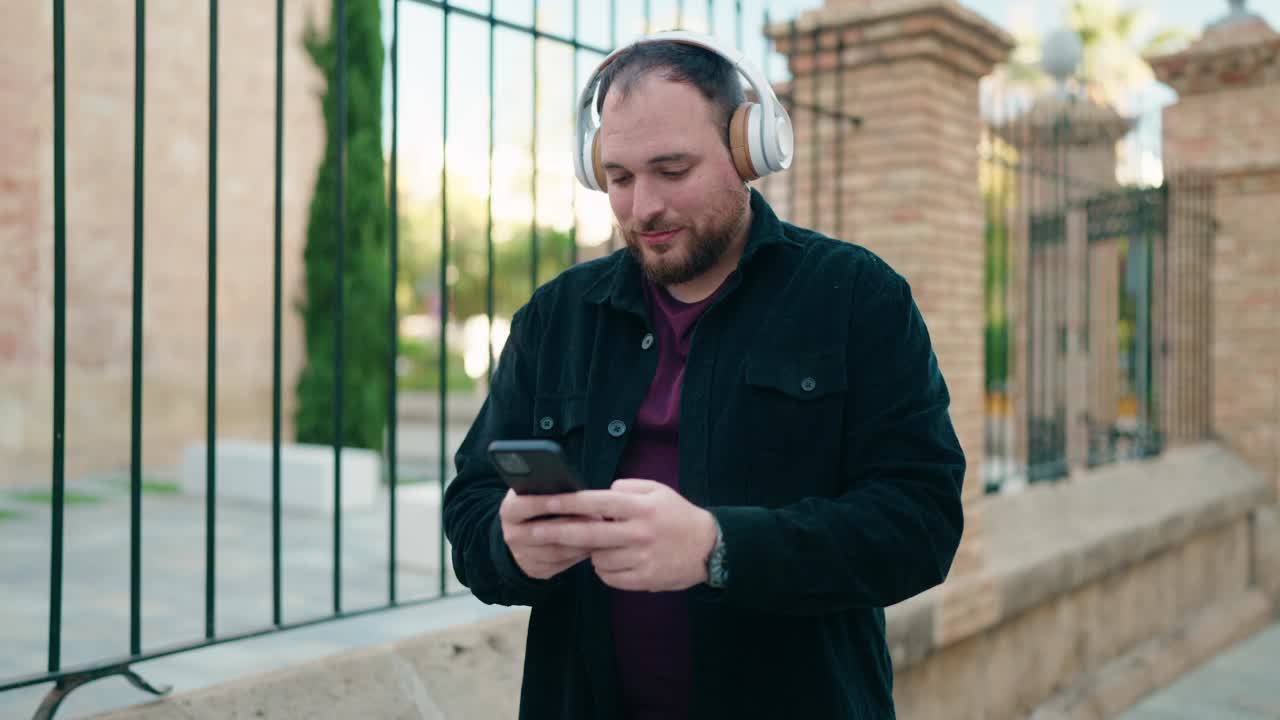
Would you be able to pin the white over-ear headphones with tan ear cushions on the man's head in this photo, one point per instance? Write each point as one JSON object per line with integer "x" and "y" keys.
{"x": 761, "y": 136}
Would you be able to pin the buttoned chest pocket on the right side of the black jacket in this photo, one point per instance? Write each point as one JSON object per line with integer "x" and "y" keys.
{"x": 794, "y": 407}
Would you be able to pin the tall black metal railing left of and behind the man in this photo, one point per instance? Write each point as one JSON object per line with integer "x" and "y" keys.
{"x": 66, "y": 678}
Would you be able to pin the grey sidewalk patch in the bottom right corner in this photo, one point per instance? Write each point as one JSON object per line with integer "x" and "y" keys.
{"x": 1242, "y": 683}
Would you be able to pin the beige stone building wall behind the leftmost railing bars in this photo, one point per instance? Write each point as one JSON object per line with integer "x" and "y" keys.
{"x": 100, "y": 115}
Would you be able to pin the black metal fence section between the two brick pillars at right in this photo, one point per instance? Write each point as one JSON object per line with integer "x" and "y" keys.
{"x": 1098, "y": 293}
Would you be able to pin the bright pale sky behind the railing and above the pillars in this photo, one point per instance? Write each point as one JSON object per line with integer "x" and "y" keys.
{"x": 559, "y": 78}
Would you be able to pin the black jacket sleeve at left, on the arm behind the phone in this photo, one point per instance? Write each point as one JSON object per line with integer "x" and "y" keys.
{"x": 482, "y": 559}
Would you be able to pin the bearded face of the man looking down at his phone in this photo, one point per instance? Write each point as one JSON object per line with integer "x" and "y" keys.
{"x": 671, "y": 181}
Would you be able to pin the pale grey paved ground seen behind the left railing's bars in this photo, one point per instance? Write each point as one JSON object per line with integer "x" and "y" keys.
{"x": 97, "y": 585}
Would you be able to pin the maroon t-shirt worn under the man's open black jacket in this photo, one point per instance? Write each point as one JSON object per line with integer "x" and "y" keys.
{"x": 651, "y": 631}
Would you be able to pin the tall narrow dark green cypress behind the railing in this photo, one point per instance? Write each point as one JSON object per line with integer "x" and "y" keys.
{"x": 367, "y": 271}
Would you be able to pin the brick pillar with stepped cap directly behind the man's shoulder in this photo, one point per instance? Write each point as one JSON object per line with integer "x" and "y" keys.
{"x": 909, "y": 174}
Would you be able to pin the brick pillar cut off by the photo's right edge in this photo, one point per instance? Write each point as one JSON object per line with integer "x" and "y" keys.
{"x": 1226, "y": 125}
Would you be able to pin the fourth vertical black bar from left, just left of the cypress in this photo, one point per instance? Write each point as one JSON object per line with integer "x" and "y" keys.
{"x": 277, "y": 325}
